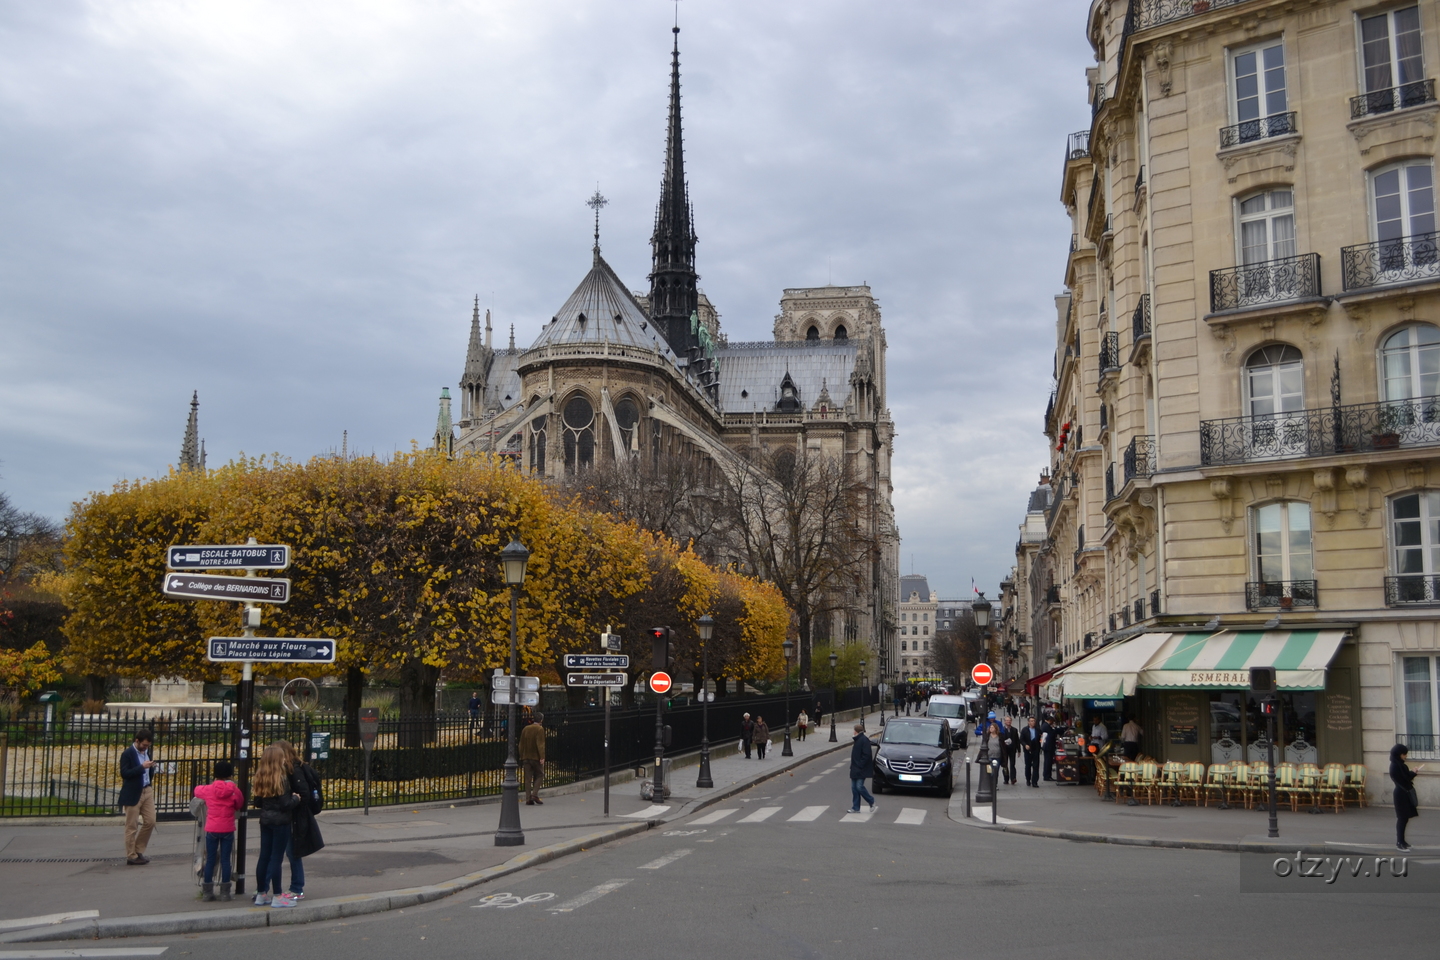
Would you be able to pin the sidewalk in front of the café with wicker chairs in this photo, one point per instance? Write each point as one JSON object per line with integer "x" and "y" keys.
{"x": 1078, "y": 814}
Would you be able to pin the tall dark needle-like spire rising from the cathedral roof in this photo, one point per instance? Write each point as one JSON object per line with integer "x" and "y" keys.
{"x": 673, "y": 281}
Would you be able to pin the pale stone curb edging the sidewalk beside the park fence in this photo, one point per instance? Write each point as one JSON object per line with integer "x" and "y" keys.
{"x": 359, "y": 905}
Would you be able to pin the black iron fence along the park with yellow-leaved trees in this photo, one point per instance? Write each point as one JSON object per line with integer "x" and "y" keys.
{"x": 70, "y": 765}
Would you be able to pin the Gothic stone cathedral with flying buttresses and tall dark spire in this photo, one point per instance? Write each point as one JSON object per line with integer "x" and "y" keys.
{"x": 647, "y": 375}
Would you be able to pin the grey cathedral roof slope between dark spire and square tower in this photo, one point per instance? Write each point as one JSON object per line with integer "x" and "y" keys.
{"x": 751, "y": 373}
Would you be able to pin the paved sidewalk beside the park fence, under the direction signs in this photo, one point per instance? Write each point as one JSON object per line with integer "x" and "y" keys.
{"x": 395, "y": 857}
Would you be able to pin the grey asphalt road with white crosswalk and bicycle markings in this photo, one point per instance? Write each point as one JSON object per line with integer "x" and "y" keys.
{"x": 784, "y": 871}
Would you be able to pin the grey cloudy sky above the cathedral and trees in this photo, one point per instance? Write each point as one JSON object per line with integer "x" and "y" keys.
{"x": 290, "y": 207}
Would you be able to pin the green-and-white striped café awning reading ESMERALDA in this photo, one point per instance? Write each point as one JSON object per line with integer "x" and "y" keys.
{"x": 1223, "y": 661}
